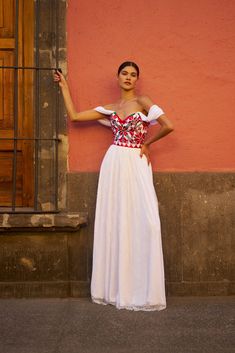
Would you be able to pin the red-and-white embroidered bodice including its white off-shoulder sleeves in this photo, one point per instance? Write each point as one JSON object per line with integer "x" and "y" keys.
{"x": 131, "y": 131}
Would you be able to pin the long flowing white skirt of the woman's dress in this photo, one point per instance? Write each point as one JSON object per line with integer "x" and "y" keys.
{"x": 128, "y": 267}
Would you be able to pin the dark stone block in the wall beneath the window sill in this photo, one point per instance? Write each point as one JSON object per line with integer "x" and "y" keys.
{"x": 33, "y": 258}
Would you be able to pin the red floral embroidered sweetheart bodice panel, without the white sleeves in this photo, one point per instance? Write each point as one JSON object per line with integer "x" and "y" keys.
{"x": 129, "y": 132}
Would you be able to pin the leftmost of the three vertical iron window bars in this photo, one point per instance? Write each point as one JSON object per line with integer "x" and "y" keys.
{"x": 14, "y": 169}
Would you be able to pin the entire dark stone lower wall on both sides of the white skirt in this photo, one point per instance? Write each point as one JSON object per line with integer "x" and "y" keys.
{"x": 198, "y": 232}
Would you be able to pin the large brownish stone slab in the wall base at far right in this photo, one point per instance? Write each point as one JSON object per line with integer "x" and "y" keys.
{"x": 208, "y": 229}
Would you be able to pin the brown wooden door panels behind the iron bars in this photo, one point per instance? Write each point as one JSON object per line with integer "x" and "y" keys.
{"x": 14, "y": 50}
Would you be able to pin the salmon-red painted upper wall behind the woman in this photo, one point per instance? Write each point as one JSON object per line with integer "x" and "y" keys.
{"x": 186, "y": 54}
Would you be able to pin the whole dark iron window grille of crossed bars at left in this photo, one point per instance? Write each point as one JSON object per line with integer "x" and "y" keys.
{"x": 37, "y": 139}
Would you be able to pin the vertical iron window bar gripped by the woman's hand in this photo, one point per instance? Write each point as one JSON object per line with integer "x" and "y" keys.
{"x": 57, "y": 115}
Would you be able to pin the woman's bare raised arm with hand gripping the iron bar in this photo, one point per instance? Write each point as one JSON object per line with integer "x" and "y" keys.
{"x": 72, "y": 113}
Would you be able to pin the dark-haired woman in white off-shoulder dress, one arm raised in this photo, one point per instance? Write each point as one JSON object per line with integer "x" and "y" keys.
{"x": 128, "y": 267}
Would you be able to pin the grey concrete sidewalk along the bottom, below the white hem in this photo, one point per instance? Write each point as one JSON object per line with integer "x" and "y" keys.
{"x": 188, "y": 324}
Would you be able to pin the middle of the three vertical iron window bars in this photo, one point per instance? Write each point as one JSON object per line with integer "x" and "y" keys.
{"x": 37, "y": 105}
